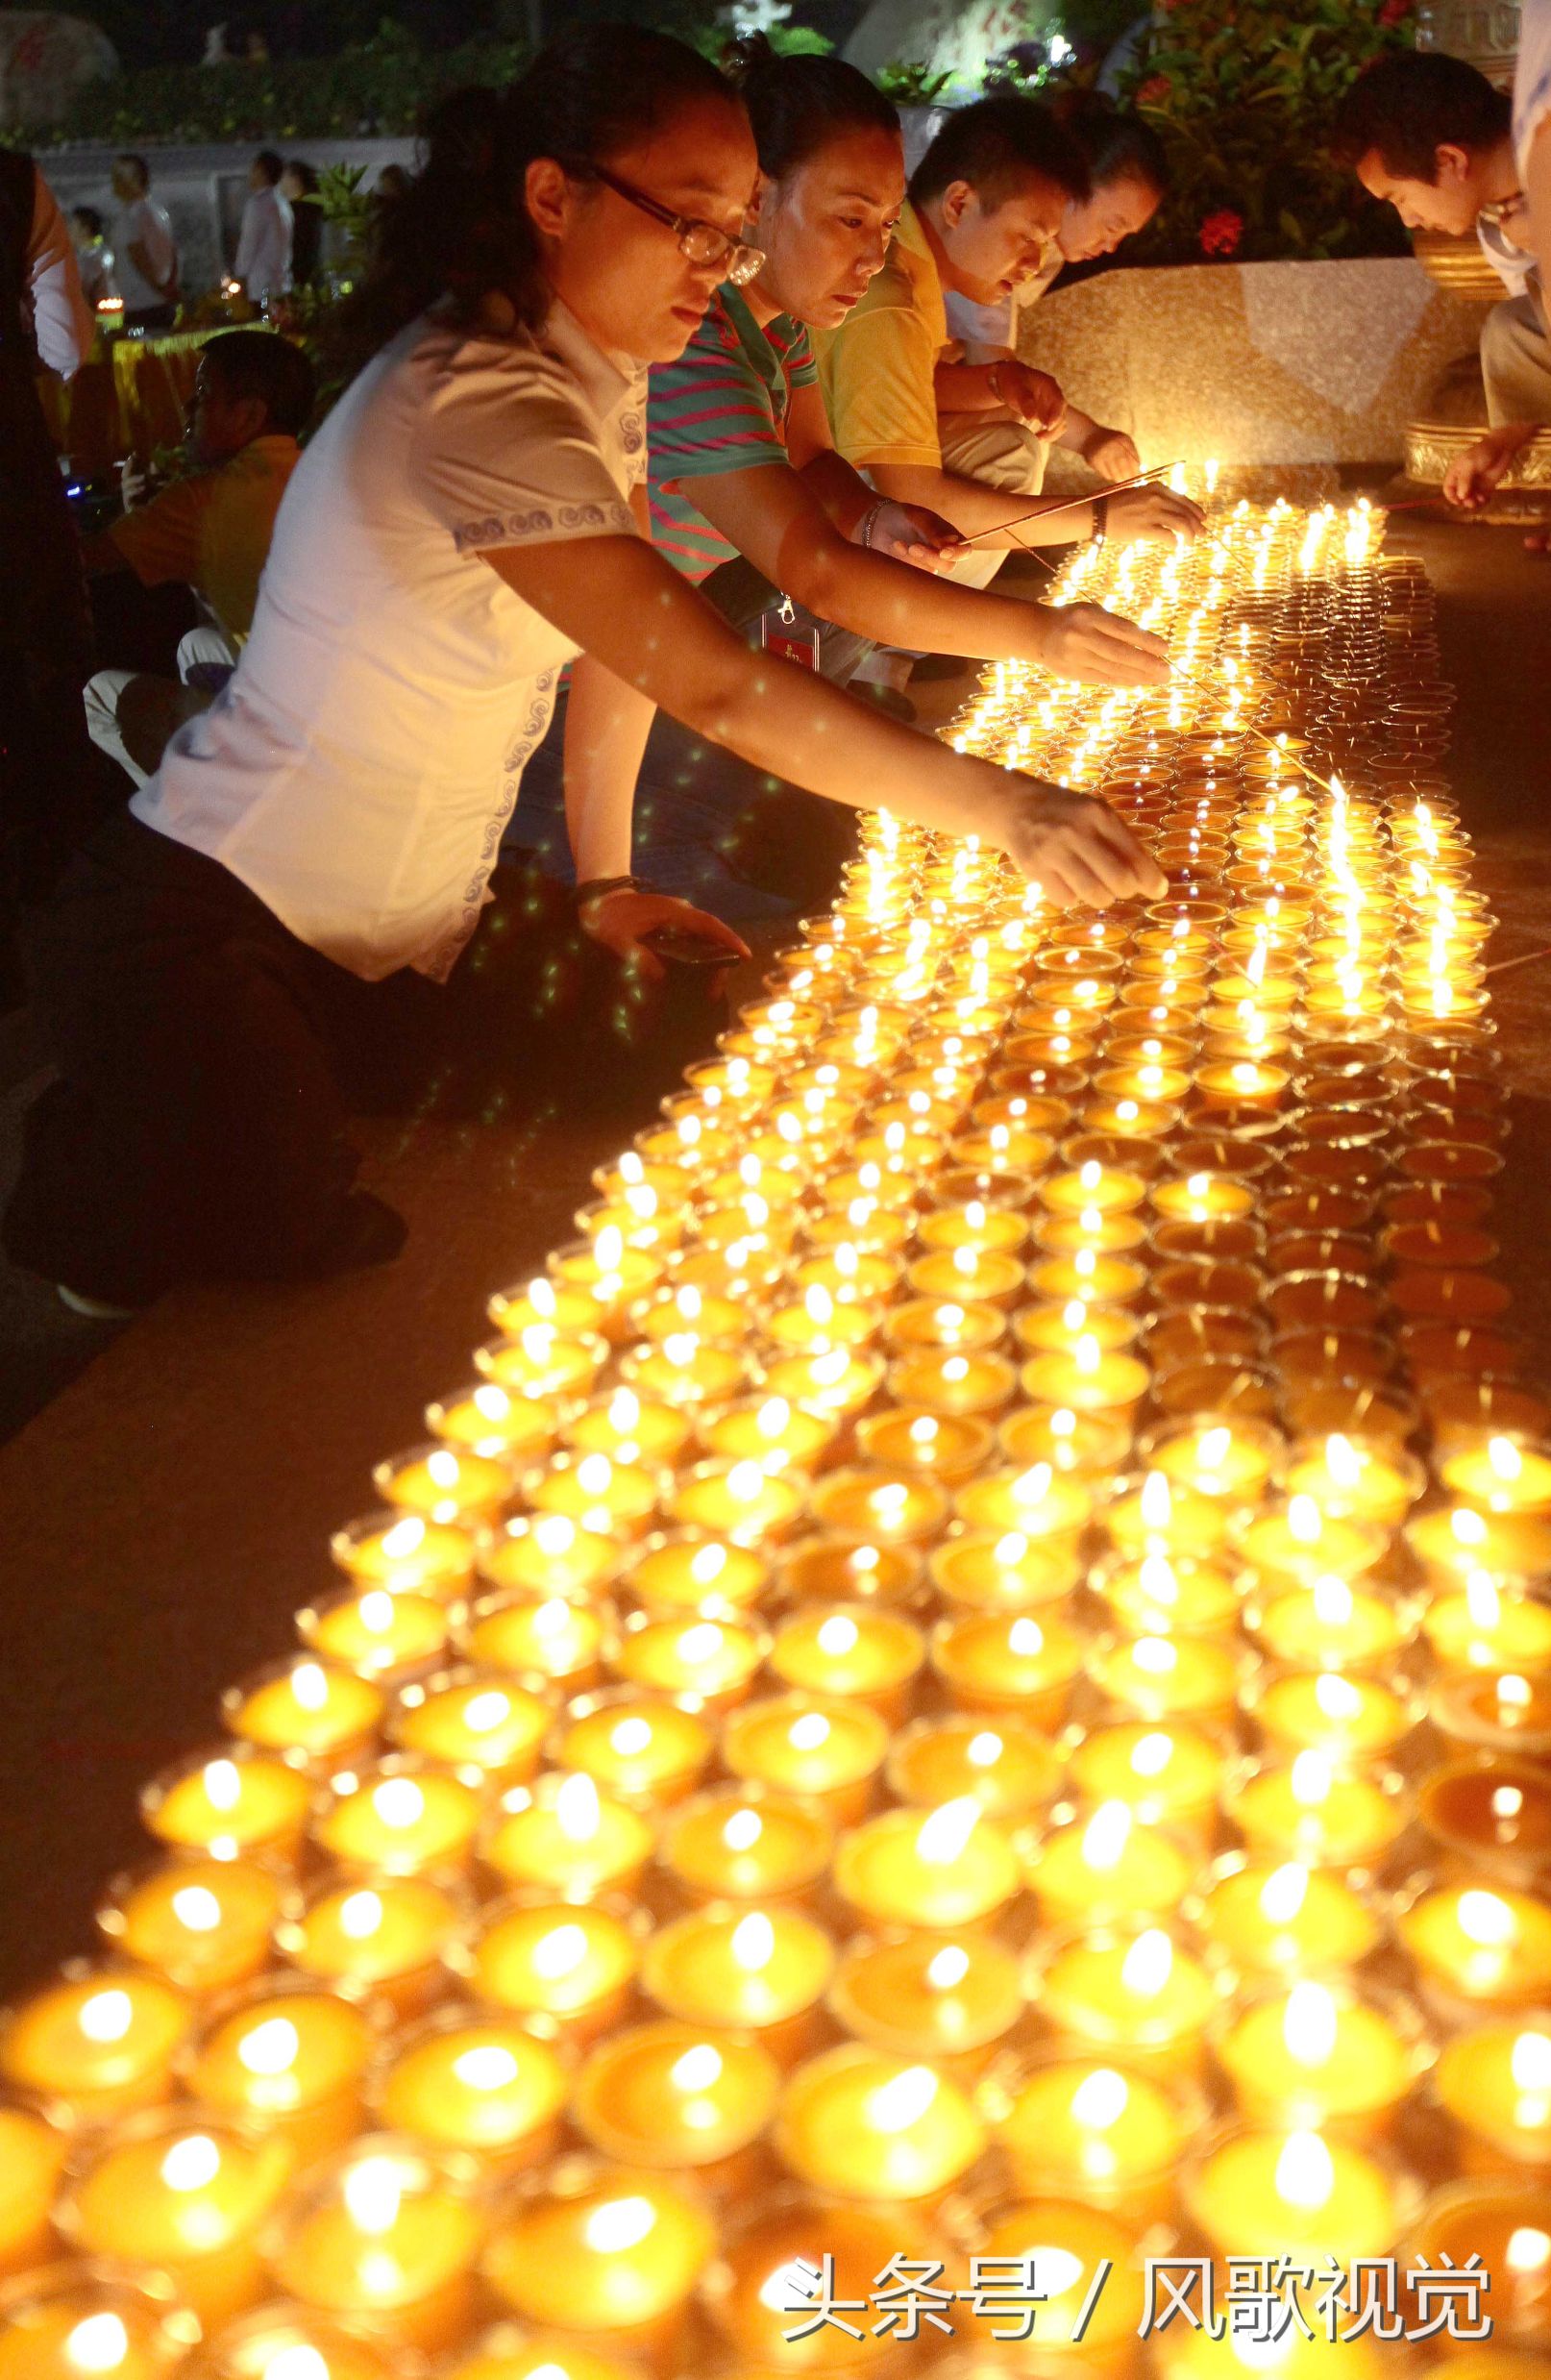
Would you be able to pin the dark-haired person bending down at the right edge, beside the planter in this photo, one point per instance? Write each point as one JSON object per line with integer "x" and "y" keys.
{"x": 1436, "y": 139}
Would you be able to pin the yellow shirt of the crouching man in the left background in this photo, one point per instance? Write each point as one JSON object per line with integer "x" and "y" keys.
{"x": 213, "y": 530}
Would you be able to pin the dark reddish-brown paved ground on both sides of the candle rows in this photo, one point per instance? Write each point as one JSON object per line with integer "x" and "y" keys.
{"x": 165, "y": 1515}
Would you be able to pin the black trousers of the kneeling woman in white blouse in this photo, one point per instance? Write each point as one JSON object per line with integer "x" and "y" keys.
{"x": 211, "y": 1063}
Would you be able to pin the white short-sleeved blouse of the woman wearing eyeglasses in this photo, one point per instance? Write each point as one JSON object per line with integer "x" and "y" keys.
{"x": 360, "y": 768}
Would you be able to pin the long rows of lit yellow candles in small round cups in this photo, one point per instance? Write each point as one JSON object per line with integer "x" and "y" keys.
{"x": 953, "y": 1727}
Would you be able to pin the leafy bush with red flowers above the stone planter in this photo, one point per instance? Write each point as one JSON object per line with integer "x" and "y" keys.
{"x": 1243, "y": 94}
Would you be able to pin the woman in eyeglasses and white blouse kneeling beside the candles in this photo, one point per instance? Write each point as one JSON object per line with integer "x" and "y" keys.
{"x": 313, "y": 858}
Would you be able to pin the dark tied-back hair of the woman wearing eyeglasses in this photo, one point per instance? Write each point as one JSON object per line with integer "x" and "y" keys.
{"x": 460, "y": 230}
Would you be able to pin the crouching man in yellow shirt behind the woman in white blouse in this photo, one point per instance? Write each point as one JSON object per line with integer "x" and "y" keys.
{"x": 213, "y": 530}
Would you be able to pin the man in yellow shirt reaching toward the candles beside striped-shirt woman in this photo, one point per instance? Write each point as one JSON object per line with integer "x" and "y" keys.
{"x": 981, "y": 220}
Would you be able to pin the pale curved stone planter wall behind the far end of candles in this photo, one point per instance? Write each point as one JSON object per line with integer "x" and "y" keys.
{"x": 1255, "y": 363}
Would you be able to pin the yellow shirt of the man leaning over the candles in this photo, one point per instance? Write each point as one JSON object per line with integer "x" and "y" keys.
{"x": 879, "y": 368}
